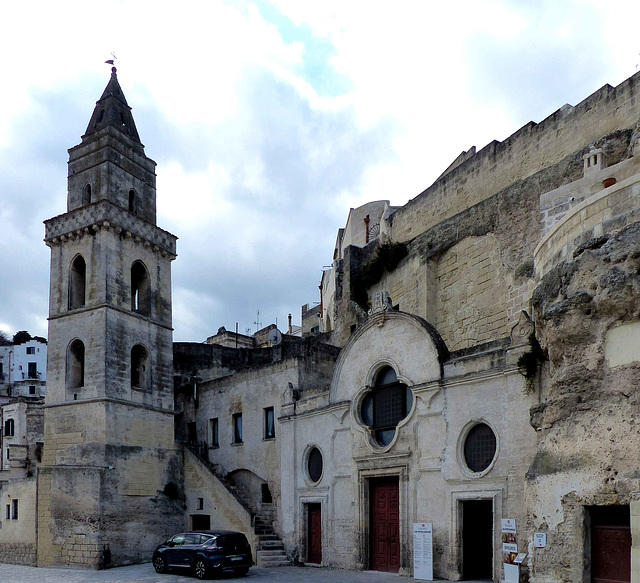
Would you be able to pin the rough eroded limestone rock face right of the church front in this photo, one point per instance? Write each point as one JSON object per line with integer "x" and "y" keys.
{"x": 589, "y": 437}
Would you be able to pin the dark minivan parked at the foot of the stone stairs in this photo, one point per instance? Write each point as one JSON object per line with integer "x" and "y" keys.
{"x": 205, "y": 552}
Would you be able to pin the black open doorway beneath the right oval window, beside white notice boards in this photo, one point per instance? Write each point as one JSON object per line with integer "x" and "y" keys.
{"x": 477, "y": 539}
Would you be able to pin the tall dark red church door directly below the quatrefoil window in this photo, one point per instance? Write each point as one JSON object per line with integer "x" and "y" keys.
{"x": 384, "y": 524}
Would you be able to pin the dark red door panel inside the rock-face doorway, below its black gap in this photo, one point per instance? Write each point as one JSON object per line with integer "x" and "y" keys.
{"x": 610, "y": 554}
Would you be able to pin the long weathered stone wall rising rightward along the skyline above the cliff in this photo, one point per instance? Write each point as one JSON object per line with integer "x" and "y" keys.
{"x": 529, "y": 150}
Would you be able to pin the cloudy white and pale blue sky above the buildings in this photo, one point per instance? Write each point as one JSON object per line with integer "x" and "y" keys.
{"x": 270, "y": 119}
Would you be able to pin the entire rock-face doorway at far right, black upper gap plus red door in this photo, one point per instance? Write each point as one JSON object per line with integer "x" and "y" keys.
{"x": 610, "y": 544}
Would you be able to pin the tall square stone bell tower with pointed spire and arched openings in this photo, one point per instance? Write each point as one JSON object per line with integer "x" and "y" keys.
{"x": 110, "y": 474}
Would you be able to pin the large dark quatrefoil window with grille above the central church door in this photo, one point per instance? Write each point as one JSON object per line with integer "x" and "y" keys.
{"x": 388, "y": 403}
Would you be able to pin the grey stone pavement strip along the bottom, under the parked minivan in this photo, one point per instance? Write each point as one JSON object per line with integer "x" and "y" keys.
{"x": 145, "y": 574}
